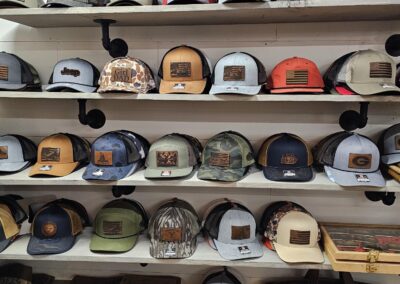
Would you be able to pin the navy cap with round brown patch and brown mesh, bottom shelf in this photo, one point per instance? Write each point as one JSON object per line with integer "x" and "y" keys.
{"x": 54, "y": 229}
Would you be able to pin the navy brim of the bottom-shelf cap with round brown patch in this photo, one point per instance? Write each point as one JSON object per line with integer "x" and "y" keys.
{"x": 49, "y": 246}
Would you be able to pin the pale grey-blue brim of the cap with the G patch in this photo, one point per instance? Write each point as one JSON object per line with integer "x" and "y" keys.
{"x": 345, "y": 178}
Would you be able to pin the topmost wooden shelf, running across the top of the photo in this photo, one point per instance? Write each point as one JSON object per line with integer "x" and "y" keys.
{"x": 210, "y": 14}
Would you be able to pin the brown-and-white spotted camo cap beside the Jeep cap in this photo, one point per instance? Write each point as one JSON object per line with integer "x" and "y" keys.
{"x": 126, "y": 74}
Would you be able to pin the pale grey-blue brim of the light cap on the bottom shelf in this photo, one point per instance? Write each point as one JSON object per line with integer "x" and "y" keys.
{"x": 232, "y": 252}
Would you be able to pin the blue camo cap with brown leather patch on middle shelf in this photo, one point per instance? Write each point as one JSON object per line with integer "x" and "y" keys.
{"x": 114, "y": 156}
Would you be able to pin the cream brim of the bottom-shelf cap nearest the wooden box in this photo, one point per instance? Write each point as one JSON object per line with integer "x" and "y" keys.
{"x": 299, "y": 254}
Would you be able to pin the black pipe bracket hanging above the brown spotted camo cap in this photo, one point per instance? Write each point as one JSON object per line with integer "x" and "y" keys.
{"x": 116, "y": 47}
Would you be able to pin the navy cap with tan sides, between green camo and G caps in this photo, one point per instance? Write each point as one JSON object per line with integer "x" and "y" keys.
{"x": 286, "y": 157}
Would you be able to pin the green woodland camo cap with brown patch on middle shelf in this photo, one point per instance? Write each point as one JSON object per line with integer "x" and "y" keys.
{"x": 226, "y": 157}
